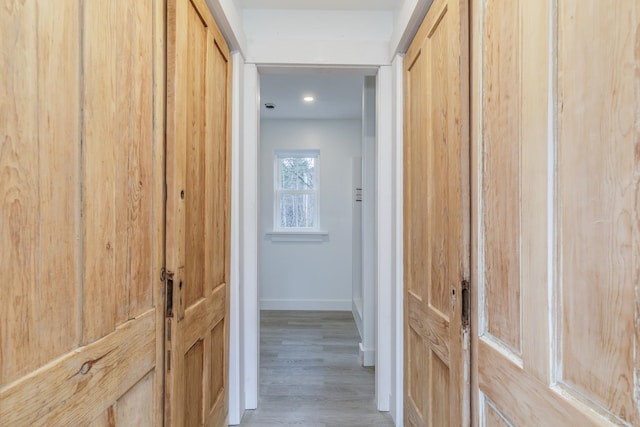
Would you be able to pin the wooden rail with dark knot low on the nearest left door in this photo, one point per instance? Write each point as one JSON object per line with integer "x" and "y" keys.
{"x": 77, "y": 388}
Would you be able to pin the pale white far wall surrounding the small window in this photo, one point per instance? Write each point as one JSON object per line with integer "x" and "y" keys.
{"x": 310, "y": 275}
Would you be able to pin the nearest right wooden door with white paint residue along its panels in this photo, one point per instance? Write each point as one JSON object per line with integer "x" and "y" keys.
{"x": 556, "y": 214}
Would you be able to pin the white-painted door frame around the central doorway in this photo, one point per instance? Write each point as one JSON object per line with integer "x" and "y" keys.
{"x": 246, "y": 328}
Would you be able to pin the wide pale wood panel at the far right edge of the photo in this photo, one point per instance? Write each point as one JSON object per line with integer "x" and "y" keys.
{"x": 597, "y": 196}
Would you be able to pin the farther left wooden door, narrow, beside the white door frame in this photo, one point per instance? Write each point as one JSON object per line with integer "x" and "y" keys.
{"x": 198, "y": 222}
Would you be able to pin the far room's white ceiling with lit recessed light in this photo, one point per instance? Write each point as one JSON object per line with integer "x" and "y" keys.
{"x": 337, "y": 96}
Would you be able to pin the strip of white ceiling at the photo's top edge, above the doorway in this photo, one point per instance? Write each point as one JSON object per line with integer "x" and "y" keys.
{"x": 320, "y": 4}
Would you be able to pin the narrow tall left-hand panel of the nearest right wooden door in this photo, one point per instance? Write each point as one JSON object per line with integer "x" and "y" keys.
{"x": 501, "y": 172}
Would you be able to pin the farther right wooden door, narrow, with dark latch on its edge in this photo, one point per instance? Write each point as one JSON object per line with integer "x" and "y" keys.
{"x": 437, "y": 219}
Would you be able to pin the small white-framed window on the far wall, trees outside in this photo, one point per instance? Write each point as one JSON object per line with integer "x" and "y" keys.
{"x": 296, "y": 196}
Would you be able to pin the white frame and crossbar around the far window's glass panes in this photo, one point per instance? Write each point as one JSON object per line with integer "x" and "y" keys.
{"x": 277, "y": 190}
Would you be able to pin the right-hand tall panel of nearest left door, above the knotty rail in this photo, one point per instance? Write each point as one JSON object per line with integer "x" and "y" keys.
{"x": 117, "y": 233}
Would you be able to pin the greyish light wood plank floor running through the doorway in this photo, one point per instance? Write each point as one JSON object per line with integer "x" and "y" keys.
{"x": 310, "y": 374}
